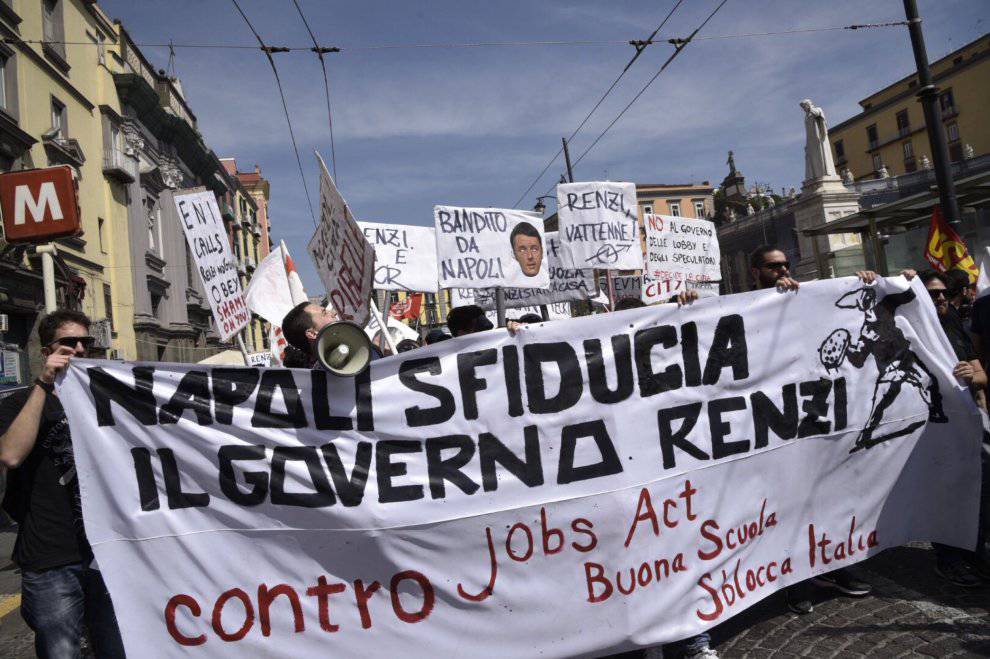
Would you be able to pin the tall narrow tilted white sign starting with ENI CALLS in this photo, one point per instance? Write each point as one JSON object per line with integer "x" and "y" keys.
{"x": 207, "y": 239}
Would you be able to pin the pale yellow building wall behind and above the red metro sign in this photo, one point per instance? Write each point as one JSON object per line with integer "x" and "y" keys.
{"x": 77, "y": 76}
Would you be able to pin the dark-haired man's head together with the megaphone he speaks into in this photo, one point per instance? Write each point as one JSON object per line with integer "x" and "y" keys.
{"x": 338, "y": 346}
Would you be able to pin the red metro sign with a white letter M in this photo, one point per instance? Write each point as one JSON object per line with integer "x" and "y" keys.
{"x": 39, "y": 205}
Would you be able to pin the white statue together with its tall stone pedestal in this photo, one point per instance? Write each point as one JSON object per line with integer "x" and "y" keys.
{"x": 824, "y": 198}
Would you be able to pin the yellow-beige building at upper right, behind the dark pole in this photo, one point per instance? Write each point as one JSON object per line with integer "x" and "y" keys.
{"x": 963, "y": 79}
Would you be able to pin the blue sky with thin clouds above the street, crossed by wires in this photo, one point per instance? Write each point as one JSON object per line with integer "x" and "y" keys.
{"x": 473, "y": 126}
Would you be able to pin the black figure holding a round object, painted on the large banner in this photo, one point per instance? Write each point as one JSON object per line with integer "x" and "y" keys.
{"x": 897, "y": 363}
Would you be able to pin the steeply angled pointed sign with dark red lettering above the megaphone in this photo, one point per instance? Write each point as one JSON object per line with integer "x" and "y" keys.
{"x": 344, "y": 259}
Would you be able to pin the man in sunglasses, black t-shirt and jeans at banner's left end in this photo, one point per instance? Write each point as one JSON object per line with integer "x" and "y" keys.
{"x": 59, "y": 586}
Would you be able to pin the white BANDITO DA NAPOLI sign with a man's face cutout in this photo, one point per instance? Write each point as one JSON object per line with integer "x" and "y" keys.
{"x": 489, "y": 247}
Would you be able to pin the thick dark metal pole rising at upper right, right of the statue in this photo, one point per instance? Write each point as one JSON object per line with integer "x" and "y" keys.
{"x": 928, "y": 97}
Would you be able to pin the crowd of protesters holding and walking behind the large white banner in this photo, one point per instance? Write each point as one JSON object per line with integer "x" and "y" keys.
{"x": 63, "y": 594}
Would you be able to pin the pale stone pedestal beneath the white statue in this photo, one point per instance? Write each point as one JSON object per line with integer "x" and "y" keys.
{"x": 826, "y": 200}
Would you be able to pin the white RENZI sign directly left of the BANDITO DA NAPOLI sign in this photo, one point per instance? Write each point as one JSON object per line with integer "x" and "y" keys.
{"x": 405, "y": 256}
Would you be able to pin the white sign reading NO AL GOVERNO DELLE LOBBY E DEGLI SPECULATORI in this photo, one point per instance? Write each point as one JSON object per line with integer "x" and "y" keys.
{"x": 681, "y": 253}
